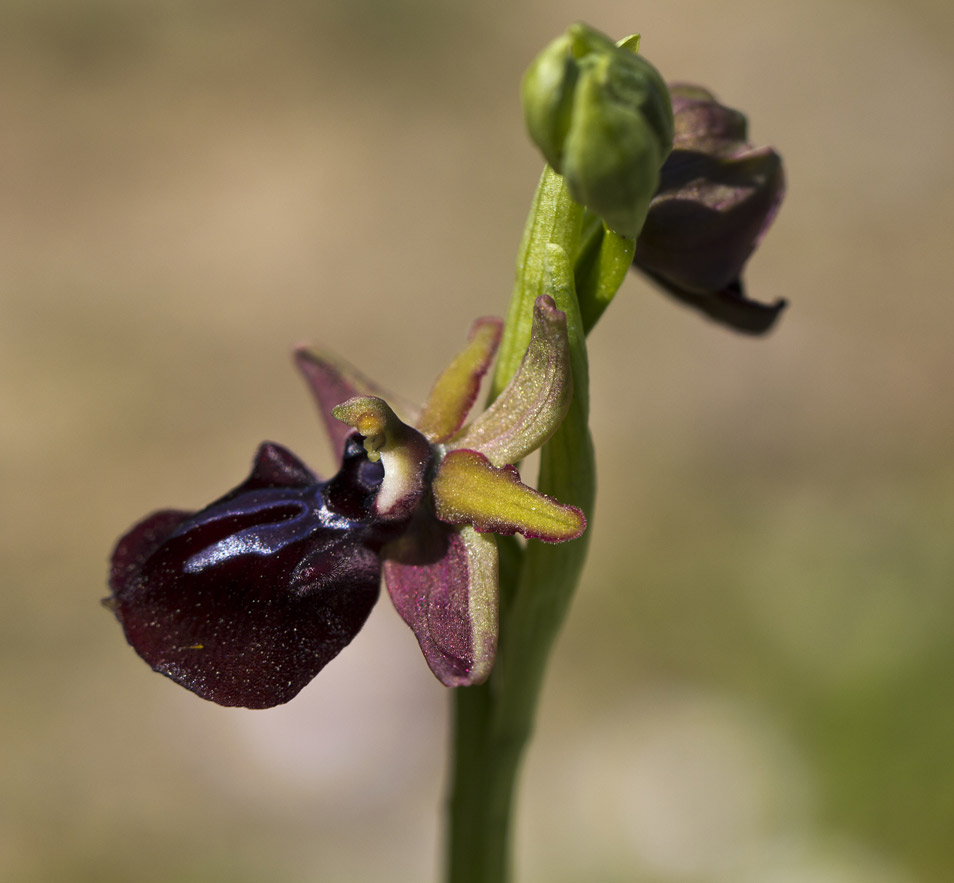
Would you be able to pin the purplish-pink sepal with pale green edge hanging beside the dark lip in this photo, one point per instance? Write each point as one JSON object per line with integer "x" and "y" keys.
{"x": 443, "y": 582}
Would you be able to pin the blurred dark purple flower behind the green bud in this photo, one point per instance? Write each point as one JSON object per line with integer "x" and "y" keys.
{"x": 716, "y": 198}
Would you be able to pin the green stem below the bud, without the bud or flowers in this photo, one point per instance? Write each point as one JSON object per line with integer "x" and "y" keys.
{"x": 493, "y": 722}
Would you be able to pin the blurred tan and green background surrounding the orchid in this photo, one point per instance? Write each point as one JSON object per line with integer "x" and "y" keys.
{"x": 756, "y": 684}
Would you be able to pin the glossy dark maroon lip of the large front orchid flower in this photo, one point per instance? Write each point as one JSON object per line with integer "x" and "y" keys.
{"x": 247, "y": 600}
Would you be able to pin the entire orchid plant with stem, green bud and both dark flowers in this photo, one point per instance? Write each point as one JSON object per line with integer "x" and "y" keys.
{"x": 246, "y": 600}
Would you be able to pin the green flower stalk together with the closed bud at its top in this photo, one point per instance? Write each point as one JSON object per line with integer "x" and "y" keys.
{"x": 578, "y": 244}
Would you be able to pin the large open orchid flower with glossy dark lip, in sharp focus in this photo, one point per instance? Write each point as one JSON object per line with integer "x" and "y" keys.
{"x": 245, "y": 601}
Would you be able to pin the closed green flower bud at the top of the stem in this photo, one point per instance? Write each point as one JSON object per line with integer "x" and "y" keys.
{"x": 601, "y": 116}
